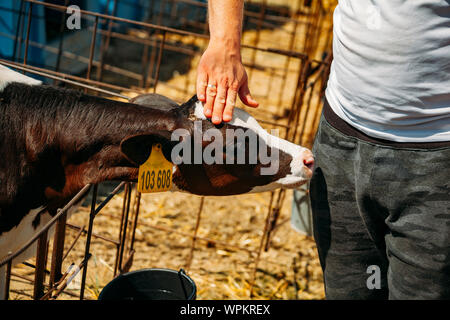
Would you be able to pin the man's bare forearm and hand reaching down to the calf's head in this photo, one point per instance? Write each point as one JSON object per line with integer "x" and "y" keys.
{"x": 221, "y": 64}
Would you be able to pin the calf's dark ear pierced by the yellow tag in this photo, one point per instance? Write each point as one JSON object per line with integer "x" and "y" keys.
{"x": 137, "y": 148}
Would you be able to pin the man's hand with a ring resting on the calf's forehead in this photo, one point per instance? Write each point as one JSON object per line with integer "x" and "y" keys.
{"x": 221, "y": 76}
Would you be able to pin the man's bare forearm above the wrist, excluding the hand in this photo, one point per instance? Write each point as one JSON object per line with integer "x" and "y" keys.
{"x": 225, "y": 23}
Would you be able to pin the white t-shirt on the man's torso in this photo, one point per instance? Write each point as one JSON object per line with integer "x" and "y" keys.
{"x": 390, "y": 77}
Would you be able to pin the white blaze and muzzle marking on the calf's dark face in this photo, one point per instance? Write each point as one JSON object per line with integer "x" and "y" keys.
{"x": 302, "y": 158}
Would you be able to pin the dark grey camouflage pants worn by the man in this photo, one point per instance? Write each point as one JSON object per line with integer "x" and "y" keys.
{"x": 381, "y": 218}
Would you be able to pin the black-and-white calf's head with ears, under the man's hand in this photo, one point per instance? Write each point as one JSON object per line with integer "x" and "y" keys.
{"x": 232, "y": 158}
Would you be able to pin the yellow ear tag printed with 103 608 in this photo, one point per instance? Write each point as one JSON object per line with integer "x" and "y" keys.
{"x": 155, "y": 174}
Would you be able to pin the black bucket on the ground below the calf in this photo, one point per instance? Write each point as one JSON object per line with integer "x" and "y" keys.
{"x": 150, "y": 284}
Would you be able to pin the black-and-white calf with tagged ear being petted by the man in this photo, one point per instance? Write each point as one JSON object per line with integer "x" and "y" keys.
{"x": 54, "y": 141}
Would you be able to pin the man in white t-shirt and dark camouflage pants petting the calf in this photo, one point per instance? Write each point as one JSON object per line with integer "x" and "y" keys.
{"x": 380, "y": 192}
